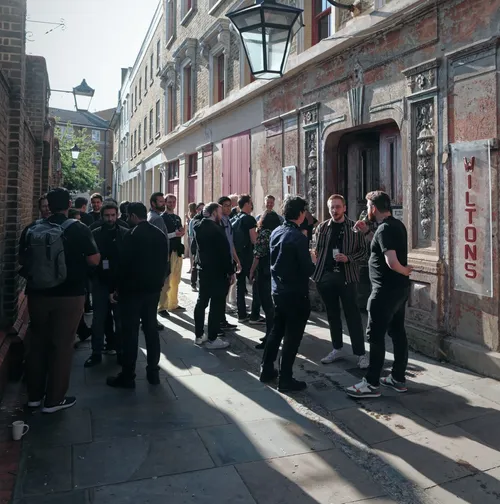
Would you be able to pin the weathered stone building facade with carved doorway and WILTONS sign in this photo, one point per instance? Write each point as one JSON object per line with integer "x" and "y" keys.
{"x": 402, "y": 96}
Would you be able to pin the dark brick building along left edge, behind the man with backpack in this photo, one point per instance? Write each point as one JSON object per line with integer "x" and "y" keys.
{"x": 27, "y": 156}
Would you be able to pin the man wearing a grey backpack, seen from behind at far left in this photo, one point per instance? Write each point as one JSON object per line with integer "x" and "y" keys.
{"x": 55, "y": 254}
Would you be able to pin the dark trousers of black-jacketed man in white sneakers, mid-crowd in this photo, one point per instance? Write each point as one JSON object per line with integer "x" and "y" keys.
{"x": 213, "y": 290}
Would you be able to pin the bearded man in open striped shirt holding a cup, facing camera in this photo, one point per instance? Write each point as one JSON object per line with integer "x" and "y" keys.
{"x": 339, "y": 252}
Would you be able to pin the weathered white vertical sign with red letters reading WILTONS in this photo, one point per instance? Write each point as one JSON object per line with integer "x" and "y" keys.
{"x": 472, "y": 229}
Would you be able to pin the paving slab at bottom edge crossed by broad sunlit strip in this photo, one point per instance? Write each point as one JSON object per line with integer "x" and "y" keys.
{"x": 314, "y": 478}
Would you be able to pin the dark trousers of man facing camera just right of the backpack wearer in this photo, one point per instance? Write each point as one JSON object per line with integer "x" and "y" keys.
{"x": 103, "y": 310}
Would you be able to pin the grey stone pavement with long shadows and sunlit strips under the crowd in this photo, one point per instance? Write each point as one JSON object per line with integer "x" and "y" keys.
{"x": 211, "y": 433}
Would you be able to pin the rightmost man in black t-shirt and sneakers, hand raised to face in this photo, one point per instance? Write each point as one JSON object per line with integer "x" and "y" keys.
{"x": 389, "y": 275}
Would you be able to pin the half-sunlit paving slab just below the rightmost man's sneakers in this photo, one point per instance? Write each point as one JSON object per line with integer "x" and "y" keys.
{"x": 381, "y": 420}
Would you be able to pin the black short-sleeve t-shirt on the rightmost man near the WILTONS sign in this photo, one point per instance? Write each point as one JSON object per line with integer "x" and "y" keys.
{"x": 390, "y": 235}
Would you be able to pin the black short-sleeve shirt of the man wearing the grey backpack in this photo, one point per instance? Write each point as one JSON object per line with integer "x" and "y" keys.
{"x": 79, "y": 243}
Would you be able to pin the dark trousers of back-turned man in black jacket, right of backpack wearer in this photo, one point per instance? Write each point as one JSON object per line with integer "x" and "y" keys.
{"x": 134, "y": 309}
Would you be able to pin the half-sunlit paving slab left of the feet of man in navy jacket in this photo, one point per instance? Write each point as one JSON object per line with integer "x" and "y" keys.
{"x": 214, "y": 385}
